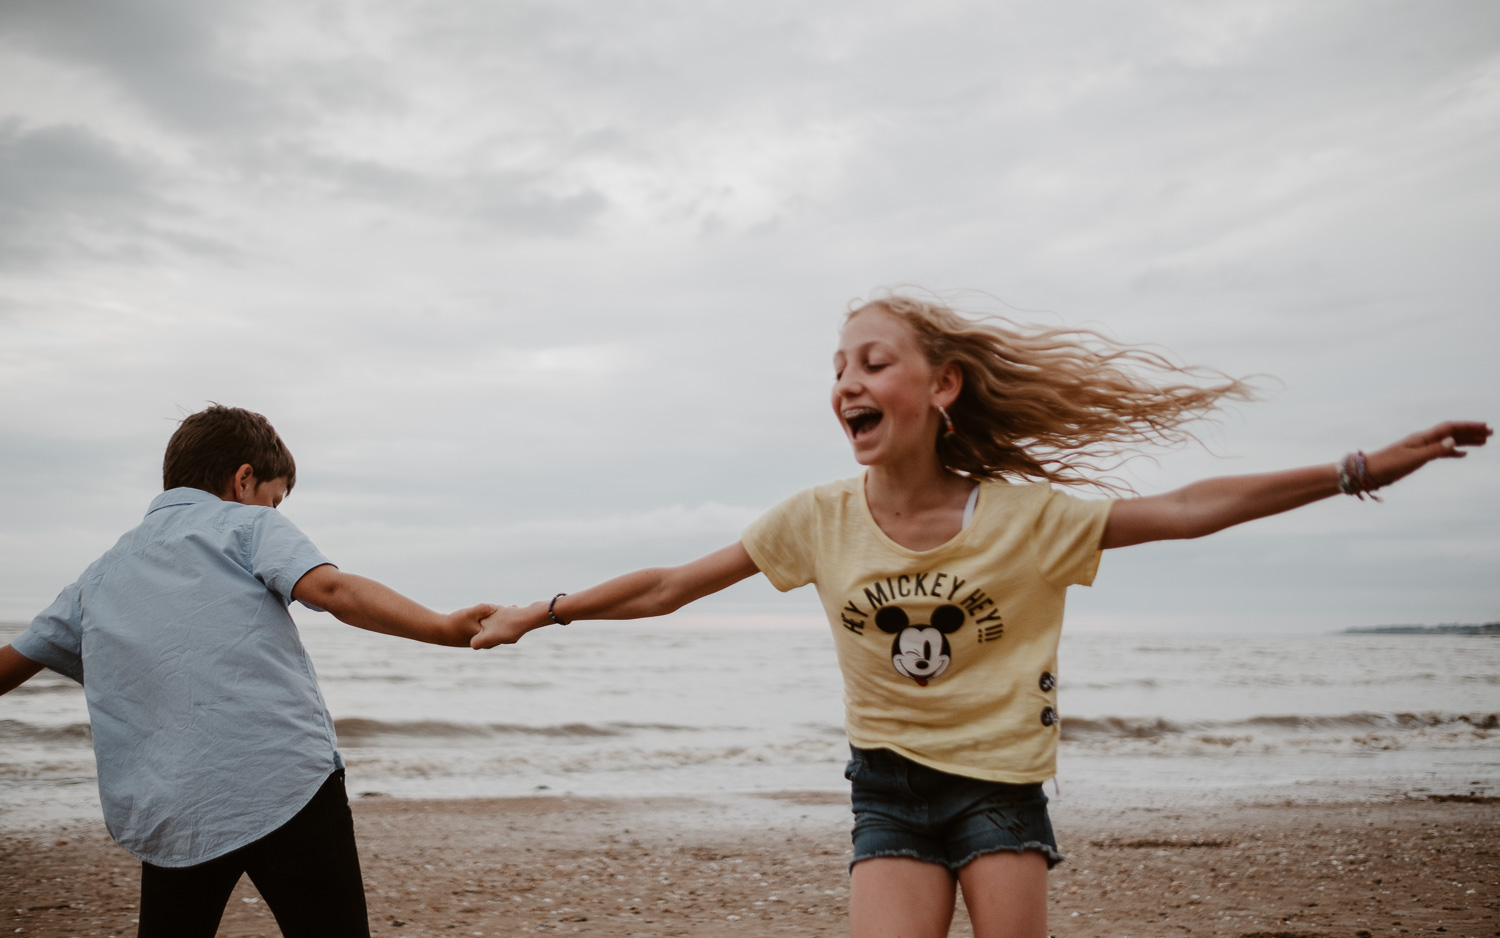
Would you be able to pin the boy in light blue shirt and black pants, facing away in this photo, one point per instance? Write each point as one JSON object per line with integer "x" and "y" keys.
{"x": 217, "y": 754}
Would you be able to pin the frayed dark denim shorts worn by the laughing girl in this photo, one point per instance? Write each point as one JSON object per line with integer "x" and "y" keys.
{"x": 907, "y": 810}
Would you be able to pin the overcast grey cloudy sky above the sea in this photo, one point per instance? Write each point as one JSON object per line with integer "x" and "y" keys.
{"x": 545, "y": 292}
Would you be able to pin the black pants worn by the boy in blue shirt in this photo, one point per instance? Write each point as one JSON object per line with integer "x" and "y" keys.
{"x": 308, "y": 871}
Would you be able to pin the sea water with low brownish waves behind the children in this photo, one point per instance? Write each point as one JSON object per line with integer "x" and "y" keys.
{"x": 611, "y": 709}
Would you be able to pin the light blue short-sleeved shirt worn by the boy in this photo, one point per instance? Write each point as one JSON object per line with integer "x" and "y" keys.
{"x": 209, "y": 727}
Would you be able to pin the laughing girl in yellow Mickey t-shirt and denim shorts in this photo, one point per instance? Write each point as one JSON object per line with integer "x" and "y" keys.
{"x": 944, "y": 568}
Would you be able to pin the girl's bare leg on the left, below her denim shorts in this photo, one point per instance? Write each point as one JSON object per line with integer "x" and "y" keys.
{"x": 901, "y": 898}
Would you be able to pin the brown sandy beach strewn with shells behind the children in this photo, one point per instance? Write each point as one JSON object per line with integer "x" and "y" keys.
{"x": 776, "y": 867}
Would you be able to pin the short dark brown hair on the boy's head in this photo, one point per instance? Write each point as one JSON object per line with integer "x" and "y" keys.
{"x": 212, "y": 445}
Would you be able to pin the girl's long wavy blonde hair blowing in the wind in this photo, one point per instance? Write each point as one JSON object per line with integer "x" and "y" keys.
{"x": 1063, "y": 406}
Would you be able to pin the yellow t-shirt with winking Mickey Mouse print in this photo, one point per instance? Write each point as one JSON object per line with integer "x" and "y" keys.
{"x": 949, "y": 657}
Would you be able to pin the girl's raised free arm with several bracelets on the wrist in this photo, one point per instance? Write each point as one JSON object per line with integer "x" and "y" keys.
{"x": 1219, "y": 504}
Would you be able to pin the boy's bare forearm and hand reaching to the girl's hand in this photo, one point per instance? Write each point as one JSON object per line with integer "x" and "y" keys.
{"x": 373, "y": 606}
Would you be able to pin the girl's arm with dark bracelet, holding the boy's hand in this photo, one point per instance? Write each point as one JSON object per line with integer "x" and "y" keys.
{"x": 640, "y": 595}
